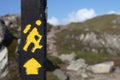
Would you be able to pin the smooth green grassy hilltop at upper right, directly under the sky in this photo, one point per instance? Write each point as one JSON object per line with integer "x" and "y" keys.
{"x": 103, "y": 23}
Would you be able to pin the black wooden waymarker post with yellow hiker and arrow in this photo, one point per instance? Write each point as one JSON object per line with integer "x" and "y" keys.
{"x": 32, "y": 48}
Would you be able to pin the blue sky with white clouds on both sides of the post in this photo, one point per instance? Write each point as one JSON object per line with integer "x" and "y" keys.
{"x": 66, "y": 11}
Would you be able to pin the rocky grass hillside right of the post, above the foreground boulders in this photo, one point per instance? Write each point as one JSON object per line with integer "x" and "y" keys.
{"x": 98, "y": 38}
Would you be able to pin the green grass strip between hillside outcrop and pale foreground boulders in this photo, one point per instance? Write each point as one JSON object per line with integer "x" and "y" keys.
{"x": 93, "y": 58}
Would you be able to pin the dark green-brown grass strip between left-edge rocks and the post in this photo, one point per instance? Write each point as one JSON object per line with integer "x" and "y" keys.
{"x": 13, "y": 65}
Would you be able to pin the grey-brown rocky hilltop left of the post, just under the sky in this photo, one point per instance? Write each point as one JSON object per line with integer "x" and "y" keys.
{"x": 12, "y": 21}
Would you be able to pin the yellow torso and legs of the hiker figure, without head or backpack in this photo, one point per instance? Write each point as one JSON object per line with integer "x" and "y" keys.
{"x": 31, "y": 39}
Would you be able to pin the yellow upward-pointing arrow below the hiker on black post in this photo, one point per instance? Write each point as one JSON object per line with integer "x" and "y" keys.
{"x": 32, "y": 67}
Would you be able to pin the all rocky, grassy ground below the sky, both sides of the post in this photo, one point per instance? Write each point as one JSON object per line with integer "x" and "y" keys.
{"x": 78, "y": 51}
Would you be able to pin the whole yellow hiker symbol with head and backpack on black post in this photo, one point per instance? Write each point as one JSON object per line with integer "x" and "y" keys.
{"x": 33, "y": 37}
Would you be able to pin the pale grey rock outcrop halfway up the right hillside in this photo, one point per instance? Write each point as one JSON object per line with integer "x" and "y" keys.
{"x": 97, "y": 41}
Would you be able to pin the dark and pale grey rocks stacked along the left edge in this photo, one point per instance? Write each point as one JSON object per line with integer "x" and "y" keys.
{"x": 3, "y": 52}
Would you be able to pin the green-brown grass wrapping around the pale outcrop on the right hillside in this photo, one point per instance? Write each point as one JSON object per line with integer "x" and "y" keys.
{"x": 67, "y": 41}
